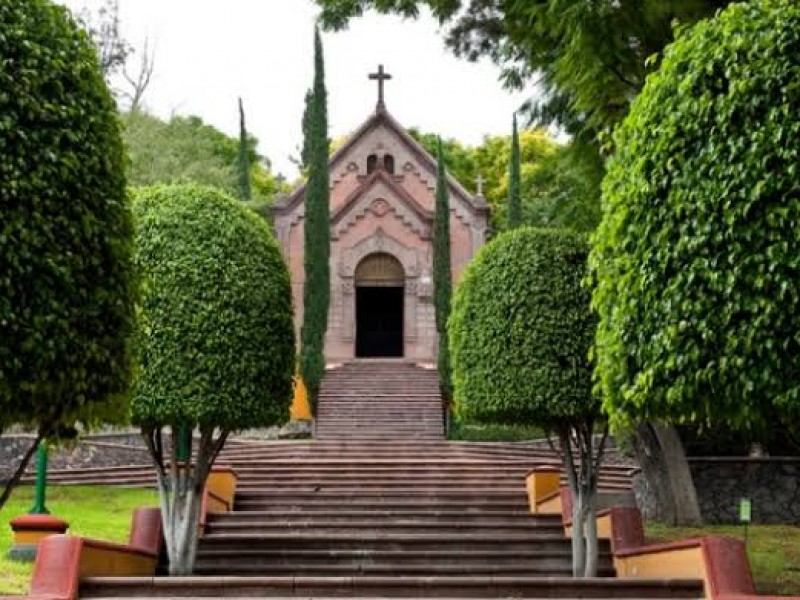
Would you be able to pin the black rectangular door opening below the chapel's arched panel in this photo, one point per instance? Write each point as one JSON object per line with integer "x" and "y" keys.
{"x": 379, "y": 322}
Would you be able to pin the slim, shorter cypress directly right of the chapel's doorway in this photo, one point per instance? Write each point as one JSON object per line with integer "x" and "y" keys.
{"x": 442, "y": 280}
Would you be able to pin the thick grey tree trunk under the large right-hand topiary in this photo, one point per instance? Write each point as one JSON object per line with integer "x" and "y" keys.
{"x": 660, "y": 453}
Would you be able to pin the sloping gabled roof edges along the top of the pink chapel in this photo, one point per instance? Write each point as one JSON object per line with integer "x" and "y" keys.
{"x": 382, "y": 117}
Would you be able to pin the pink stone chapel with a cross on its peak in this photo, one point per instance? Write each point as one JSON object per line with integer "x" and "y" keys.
{"x": 382, "y": 204}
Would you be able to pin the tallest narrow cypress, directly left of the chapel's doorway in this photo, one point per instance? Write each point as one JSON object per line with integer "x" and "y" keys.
{"x": 316, "y": 291}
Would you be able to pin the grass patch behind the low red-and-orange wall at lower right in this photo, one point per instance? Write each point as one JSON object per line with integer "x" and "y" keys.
{"x": 774, "y": 551}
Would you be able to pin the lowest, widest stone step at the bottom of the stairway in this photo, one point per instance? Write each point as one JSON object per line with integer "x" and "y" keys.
{"x": 381, "y": 587}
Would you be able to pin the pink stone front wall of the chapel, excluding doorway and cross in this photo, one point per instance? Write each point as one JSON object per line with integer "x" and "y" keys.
{"x": 390, "y": 213}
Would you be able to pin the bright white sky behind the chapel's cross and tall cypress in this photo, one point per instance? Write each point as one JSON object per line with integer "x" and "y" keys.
{"x": 209, "y": 52}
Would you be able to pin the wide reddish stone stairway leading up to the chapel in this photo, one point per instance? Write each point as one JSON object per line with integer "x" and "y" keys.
{"x": 381, "y": 506}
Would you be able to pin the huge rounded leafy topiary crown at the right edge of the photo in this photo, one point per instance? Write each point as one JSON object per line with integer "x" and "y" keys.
{"x": 697, "y": 259}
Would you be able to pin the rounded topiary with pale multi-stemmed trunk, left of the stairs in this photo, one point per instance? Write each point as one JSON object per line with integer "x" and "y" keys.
{"x": 216, "y": 347}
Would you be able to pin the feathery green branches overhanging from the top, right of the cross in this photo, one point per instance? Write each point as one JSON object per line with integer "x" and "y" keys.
{"x": 588, "y": 58}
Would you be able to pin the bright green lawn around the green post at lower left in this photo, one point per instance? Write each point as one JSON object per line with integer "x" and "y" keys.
{"x": 98, "y": 512}
